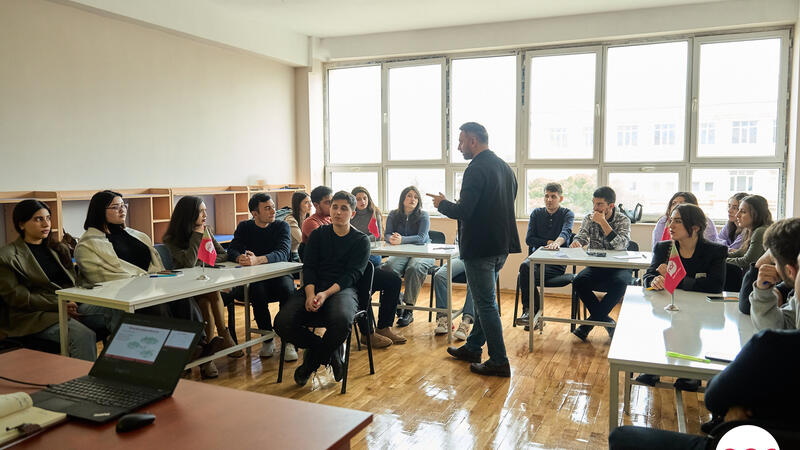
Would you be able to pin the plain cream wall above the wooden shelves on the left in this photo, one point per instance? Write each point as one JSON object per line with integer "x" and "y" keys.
{"x": 90, "y": 101}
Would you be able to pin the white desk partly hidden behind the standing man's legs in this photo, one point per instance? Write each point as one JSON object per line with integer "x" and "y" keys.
{"x": 429, "y": 250}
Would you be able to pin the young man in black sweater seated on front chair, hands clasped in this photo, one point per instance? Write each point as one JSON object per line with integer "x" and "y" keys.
{"x": 334, "y": 261}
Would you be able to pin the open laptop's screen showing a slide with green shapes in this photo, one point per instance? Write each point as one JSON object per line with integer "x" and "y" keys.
{"x": 148, "y": 351}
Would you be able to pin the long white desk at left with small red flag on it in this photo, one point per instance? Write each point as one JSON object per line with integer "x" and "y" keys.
{"x": 130, "y": 294}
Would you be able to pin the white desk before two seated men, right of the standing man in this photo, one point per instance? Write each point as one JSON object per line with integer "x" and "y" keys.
{"x": 576, "y": 257}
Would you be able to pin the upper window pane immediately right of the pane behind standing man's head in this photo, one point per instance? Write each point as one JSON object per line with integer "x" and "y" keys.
{"x": 562, "y": 97}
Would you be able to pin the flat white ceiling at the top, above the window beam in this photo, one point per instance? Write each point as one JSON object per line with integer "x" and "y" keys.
{"x": 332, "y": 18}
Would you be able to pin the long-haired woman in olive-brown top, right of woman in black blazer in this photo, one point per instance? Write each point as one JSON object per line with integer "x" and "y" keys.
{"x": 754, "y": 218}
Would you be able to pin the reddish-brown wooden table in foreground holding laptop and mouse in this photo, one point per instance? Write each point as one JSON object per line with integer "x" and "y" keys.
{"x": 197, "y": 416}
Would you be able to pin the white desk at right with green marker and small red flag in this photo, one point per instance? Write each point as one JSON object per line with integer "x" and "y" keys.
{"x": 645, "y": 332}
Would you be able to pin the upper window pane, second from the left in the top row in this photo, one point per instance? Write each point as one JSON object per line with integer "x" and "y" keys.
{"x": 354, "y": 115}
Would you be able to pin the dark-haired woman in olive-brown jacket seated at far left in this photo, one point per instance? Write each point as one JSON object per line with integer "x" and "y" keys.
{"x": 32, "y": 268}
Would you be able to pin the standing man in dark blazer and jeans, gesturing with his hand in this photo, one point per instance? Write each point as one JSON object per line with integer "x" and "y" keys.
{"x": 487, "y": 233}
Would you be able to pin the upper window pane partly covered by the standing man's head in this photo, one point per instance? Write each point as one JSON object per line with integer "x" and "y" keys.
{"x": 484, "y": 90}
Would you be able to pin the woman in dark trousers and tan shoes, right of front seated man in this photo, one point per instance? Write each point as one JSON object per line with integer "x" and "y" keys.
{"x": 368, "y": 221}
